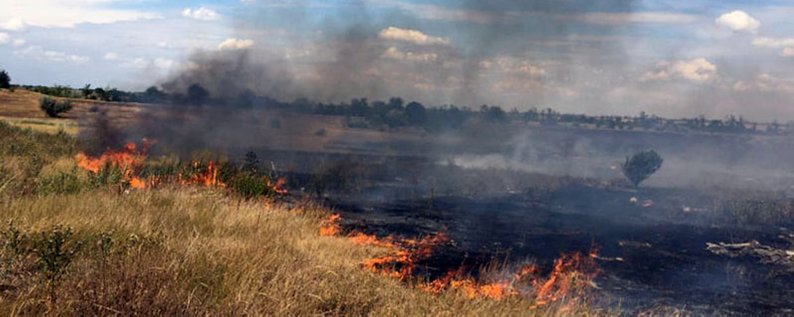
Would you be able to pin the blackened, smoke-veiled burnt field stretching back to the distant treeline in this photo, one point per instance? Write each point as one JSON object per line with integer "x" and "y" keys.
{"x": 508, "y": 195}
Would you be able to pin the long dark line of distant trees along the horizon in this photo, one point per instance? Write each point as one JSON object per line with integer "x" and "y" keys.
{"x": 396, "y": 113}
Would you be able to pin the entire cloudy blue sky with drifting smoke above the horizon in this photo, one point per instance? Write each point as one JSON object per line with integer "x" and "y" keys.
{"x": 674, "y": 58}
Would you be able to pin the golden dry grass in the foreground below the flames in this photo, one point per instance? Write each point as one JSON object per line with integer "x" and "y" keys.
{"x": 198, "y": 252}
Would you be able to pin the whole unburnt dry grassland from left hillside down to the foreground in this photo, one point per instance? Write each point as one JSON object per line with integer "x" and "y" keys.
{"x": 69, "y": 249}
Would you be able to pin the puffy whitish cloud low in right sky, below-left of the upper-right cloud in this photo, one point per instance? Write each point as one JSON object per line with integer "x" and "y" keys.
{"x": 697, "y": 70}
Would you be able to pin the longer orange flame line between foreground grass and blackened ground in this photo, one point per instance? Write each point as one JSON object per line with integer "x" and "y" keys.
{"x": 567, "y": 280}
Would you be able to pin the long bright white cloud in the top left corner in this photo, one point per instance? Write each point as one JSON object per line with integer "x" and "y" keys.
{"x": 18, "y": 15}
